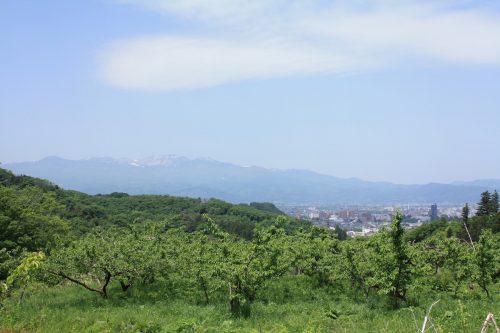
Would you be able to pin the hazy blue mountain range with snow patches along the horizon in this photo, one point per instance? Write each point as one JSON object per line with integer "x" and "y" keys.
{"x": 208, "y": 178}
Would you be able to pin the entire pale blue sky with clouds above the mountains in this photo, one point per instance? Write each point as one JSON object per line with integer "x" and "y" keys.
{"x": 406, "y": 91}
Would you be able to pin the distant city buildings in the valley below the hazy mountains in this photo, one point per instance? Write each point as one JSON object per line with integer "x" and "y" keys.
{"x": 366, "y": 220}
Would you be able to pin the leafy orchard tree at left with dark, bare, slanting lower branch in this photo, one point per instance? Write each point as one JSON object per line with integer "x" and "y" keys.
{"x": 93, "y": 261}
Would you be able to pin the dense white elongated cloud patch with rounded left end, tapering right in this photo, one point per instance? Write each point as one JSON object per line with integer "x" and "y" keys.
{"x": 167, "y": 63}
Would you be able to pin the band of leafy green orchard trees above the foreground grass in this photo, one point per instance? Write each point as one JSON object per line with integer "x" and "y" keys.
{"x": 218, "y": 266}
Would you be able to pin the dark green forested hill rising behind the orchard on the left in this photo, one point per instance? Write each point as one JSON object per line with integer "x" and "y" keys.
{"x": 33, "y": 211}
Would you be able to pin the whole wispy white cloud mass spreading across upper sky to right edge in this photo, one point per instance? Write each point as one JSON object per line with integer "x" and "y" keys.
{"x": 259, "y": 39}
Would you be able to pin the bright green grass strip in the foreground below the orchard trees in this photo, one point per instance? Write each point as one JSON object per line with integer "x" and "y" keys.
{"x": 72, "y": 309}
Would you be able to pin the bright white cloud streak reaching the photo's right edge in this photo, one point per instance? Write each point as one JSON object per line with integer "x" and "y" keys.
{"x": 468, "y": 37}
